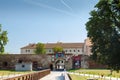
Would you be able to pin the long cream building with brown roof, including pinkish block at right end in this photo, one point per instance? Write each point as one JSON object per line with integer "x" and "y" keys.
{"x": 68, "y": 48}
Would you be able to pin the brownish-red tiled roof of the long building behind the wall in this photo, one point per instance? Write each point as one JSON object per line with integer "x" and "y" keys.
{"x": 52, "y": 45}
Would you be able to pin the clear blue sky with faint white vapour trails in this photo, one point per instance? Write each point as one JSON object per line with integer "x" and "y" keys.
{"x": 45, "y": 21}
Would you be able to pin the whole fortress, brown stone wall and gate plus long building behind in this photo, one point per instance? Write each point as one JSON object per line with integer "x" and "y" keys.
{"x": 74, "y": 55}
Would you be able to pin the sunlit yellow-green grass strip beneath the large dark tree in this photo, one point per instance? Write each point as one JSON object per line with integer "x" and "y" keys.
{"x": 104, "y": 72}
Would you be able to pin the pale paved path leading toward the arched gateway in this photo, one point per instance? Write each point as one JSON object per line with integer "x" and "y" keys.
{"x": 54, "y": 75}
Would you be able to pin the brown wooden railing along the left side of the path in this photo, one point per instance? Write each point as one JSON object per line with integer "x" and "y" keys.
{"x": 31, "y": 76}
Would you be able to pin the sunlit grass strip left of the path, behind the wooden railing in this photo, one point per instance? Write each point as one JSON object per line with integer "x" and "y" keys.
{"x": 12, "y": 72}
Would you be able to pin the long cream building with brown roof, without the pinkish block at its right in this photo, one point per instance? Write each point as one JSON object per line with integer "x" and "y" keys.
{"x": 68, "y": 48}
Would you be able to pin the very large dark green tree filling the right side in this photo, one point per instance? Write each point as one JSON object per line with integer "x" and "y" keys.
{"x": 104, "y": 31}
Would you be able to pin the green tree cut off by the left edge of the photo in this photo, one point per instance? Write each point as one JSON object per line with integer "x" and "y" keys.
{"x": 3, "y": 40}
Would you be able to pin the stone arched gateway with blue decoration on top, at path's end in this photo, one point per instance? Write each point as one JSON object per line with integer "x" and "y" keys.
{"x": 60, "y": 61}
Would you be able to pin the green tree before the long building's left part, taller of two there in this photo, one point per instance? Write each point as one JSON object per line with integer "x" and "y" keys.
{"x": 40, "y": 48}
